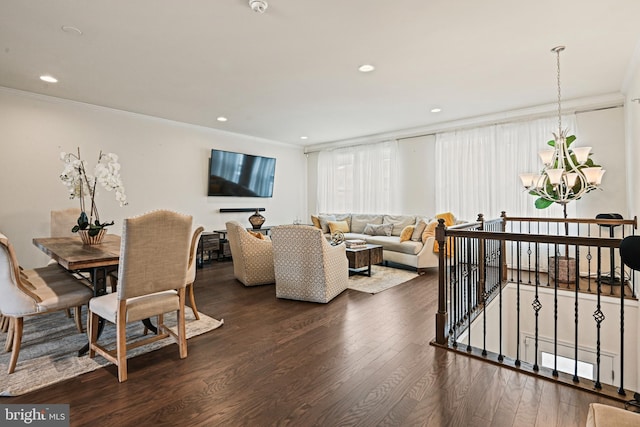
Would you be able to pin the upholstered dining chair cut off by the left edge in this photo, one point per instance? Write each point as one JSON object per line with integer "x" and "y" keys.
{"x": 25, "y": 293}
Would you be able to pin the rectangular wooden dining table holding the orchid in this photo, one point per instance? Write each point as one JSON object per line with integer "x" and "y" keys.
{"x": 98, "y": 260}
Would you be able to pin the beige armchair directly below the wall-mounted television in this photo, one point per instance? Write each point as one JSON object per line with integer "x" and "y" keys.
{"x": 252, "y": 257}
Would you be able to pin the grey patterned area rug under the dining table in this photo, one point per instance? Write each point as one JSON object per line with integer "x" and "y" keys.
{"x": 50, "y": 344}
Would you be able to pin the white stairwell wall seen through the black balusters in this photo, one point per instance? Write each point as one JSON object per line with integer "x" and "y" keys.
{"x": 587, "y": 331}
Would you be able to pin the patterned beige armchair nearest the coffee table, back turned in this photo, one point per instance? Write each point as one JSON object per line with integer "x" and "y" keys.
{"x": 307, "y": 267}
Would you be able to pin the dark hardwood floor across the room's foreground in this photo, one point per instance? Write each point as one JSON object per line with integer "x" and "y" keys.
{"x": 360, "y": 360}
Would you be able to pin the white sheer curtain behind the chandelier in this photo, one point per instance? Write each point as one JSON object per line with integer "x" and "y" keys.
{"x": 477, "y": 170}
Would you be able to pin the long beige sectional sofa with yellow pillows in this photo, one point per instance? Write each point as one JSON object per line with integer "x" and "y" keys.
{"x": 415, "y": 252}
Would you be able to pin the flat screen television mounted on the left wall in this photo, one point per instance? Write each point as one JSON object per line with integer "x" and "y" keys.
{"x": 240, "y": 175}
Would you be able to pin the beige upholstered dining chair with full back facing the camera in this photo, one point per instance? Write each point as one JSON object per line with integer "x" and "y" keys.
{"x": 152, "y": 276}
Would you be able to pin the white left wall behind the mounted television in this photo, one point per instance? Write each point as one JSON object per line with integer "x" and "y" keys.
{"x": 164, "y": 166}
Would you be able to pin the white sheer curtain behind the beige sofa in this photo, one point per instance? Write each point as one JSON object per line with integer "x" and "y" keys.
{"x": 360, "y": 179}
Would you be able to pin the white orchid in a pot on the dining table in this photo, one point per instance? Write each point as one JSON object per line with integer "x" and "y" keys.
{"x": 80, "y": 185}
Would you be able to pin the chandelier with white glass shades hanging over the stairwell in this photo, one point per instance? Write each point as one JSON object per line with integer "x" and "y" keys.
{"x": 569, "y": 172}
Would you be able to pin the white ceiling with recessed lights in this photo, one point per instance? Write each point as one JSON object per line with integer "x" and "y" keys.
{"x": 292, "y": 71}
